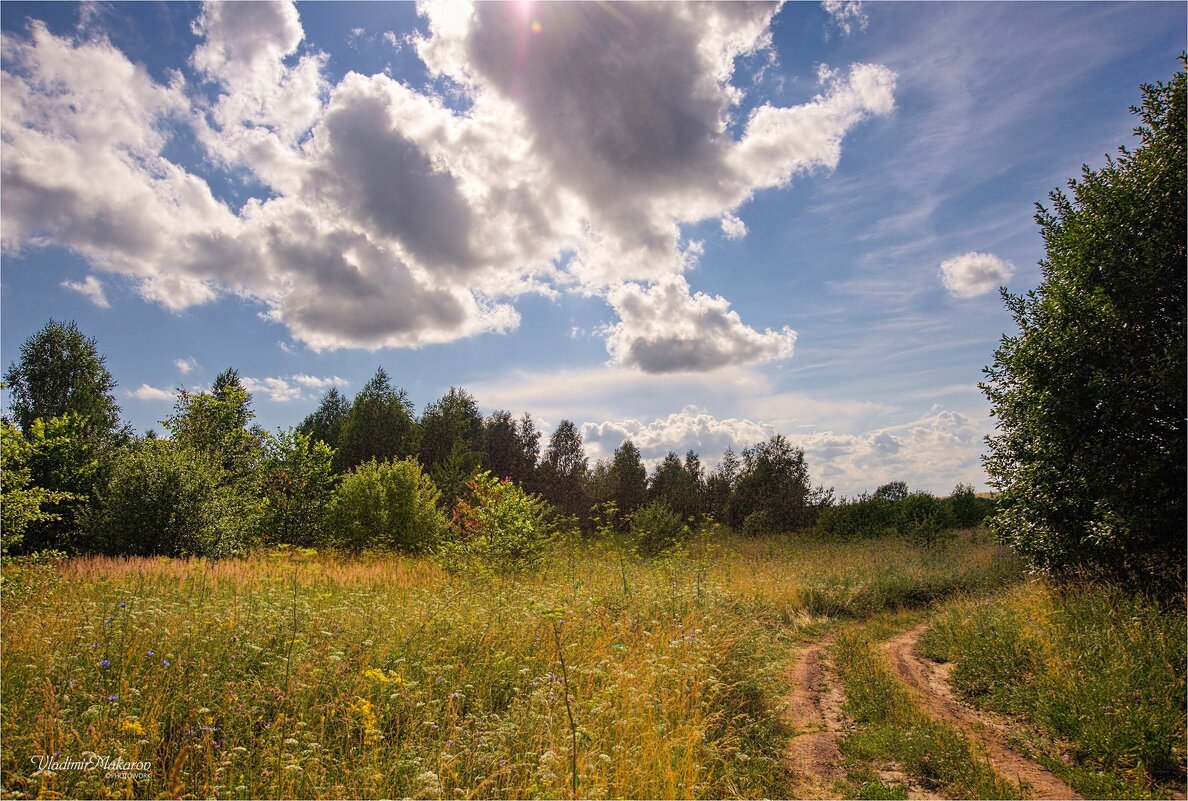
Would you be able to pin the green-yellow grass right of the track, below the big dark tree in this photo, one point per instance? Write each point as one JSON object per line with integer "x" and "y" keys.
{"x": 1096, "y": 668}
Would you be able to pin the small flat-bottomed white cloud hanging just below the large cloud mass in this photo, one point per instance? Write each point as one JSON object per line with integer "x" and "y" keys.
{"x": 666, "y": 329}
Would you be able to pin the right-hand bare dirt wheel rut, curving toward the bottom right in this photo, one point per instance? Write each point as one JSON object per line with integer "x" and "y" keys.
{"x": 931, "y": 682}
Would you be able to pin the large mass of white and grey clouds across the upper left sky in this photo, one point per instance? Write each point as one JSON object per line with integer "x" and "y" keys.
{"x": 589, "y": 136}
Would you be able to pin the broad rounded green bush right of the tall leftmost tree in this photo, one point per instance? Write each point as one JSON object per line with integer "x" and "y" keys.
{"x": 167, "y": 500}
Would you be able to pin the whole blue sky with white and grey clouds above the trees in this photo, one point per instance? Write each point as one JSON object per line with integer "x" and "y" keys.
{"x": 690, "y": 225}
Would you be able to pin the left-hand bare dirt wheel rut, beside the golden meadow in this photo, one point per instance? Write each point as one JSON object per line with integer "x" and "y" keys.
{"x": 814, "y": 710}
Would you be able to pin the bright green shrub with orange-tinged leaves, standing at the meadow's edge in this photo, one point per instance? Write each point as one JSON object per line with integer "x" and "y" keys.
{"x": 497, "y": 526}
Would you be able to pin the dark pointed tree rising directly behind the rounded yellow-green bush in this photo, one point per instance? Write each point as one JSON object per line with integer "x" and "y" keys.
{"x": 380, "y": 427}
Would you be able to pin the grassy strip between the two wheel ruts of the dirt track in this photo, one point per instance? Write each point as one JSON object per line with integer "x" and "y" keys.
{"x": 890, "y": 728}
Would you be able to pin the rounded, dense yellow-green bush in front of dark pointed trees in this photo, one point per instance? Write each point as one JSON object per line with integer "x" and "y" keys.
{"x": 390, "y": 504}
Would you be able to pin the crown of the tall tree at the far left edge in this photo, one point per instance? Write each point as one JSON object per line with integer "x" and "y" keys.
{"x": 60, "y": 373}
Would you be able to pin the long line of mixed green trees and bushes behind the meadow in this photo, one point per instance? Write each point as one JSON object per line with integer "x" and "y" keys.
{"x": 357, "y": 472}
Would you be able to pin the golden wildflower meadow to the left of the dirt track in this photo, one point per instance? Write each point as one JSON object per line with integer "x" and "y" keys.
{"x": 293, "y": 674}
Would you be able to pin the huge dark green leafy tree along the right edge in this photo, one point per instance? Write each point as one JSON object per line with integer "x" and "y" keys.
{"x": 1089, "y": 396}
